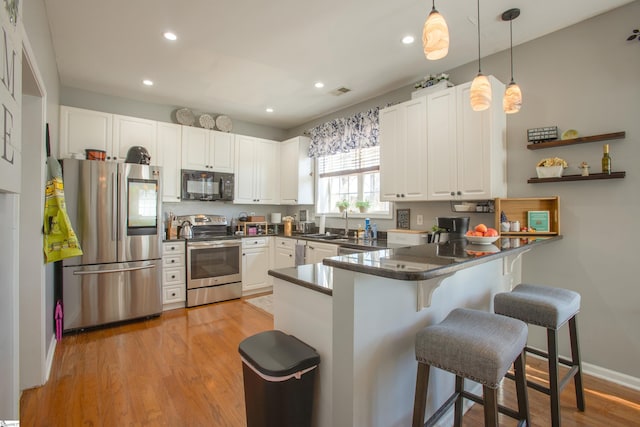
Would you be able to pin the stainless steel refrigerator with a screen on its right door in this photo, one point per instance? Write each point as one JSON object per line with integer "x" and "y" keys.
{"x": 116, "y": 211}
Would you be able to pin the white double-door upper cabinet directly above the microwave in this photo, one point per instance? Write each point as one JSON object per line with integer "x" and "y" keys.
{"x": 207, "y": 150}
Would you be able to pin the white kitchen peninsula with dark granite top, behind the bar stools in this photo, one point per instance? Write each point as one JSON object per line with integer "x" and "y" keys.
{"x": 361, "y": 312}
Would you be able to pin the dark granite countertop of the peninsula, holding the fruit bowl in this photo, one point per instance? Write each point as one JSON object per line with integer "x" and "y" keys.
{"x": 410, "y": 263}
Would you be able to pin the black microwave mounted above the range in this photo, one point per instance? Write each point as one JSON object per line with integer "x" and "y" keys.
{"x": 207, "y": 186}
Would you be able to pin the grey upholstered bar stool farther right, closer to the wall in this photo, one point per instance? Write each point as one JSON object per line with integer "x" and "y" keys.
{"x": 550, "y": 308}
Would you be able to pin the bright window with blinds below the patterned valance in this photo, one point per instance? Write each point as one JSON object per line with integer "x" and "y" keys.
{"x": 354, "y": 177}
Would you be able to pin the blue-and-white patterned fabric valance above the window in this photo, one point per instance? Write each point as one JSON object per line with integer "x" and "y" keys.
{"x": 345, "y": 134}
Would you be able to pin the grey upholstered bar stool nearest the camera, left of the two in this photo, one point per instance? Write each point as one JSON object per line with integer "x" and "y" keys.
{"x": 479, "y": 346}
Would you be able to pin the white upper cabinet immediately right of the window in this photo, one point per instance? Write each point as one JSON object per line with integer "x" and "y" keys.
{"x": 403, "y": 151}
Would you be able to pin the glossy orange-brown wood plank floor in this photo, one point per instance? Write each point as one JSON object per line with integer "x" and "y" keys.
{"x": 183, "y": 369}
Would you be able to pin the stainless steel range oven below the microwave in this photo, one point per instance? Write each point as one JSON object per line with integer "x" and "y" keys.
{"x": 214, "y": 261}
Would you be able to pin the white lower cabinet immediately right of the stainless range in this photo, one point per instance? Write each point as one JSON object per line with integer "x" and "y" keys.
{"x": 255, "y": 265}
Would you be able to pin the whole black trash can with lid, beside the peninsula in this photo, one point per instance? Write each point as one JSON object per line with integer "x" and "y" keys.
{"x": 279, "y": 374}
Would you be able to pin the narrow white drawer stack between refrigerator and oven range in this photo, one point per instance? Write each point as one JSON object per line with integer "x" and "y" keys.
{"x": 174, "y": 276}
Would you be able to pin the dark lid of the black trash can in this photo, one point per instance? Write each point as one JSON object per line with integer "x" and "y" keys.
{"x": 275, "y": 353}
